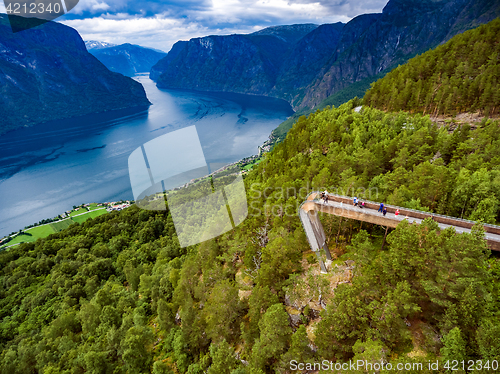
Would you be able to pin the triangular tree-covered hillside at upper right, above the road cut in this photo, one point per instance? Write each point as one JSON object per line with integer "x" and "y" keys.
{"x": 460, "y": 76}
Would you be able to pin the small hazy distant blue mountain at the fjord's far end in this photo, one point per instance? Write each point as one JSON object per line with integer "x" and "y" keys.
{"x": 128, "y": 59}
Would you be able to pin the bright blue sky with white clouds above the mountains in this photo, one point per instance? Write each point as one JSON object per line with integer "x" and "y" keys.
{"x": 160, "y": 23}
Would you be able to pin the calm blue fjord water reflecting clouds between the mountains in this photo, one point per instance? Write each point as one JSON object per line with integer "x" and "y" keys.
{"x": 46, "y": 169}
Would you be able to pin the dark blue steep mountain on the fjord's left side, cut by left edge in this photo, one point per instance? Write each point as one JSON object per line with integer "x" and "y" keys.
{"x": 46, "y": 73}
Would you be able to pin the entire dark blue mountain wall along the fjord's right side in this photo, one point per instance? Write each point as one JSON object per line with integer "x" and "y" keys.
{"x": 324, "y": 61}
